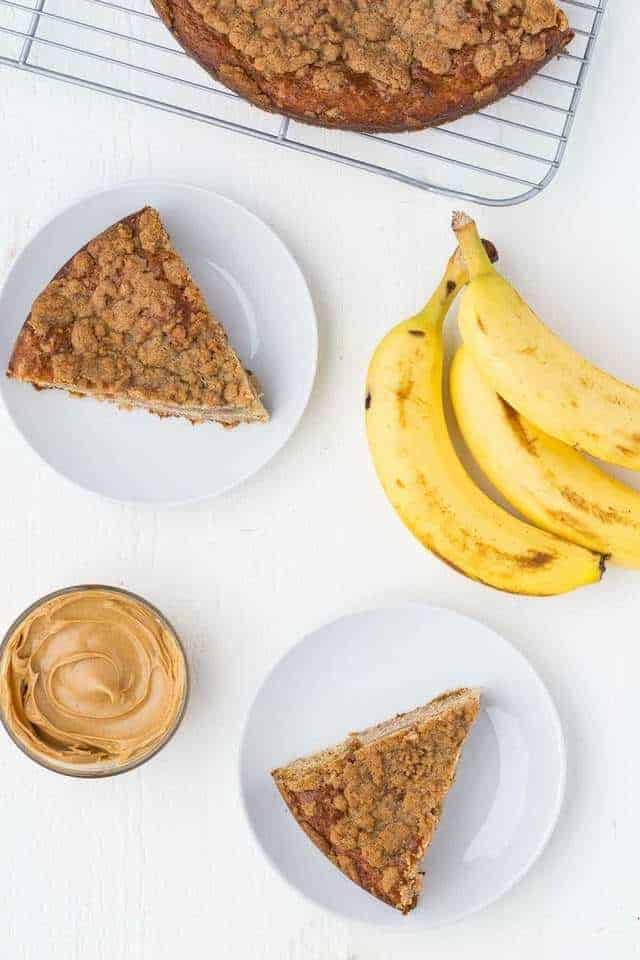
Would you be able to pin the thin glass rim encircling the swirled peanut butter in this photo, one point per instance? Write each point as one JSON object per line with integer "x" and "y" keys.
{"x": 97, "y": 774}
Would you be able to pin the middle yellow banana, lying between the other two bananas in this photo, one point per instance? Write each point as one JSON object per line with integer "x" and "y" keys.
{"x": 550, "y": 483}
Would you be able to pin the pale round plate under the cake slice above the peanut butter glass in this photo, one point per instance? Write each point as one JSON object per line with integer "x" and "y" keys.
{"x": 252, "y": 284}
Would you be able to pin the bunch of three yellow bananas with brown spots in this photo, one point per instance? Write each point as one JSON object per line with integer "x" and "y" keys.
{"x": 526, "y": 404}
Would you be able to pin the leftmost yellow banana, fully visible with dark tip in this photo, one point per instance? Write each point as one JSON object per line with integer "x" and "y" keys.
{"x": 426, "y": 483}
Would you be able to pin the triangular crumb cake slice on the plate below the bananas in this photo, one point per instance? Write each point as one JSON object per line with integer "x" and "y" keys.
{"x": 372, "y": 803}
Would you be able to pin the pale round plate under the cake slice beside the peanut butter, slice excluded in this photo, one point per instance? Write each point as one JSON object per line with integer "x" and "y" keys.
{"x": 366, "y": 667}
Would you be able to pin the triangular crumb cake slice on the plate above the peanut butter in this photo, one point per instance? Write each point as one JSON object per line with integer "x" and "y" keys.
{"x": 124, "y": 321}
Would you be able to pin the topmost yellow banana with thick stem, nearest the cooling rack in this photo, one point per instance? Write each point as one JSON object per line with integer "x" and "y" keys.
{"x": 536, "y": 372}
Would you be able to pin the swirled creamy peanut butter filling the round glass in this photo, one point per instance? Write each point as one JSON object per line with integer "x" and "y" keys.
{"x": 92, "y": 678}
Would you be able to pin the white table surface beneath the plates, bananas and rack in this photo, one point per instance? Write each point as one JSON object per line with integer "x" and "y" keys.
{"x": 159, "y": 864}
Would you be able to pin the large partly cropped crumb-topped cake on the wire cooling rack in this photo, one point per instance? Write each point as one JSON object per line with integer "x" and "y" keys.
{"x": 371, "y": 65}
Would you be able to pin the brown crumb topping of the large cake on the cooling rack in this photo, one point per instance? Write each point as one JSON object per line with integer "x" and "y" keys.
{"x": 387, "y": 40}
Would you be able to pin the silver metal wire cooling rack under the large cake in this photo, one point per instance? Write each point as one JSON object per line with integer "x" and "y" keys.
{"x": 502, "y": 155}
